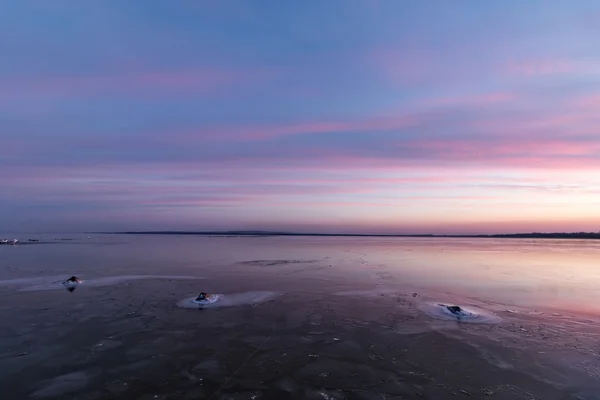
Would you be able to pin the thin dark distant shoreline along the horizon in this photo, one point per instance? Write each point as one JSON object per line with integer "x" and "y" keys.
{"x": 534, "y": 235}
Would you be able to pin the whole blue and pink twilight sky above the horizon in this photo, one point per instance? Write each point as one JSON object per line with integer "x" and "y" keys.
{"x": 367, "y": 116}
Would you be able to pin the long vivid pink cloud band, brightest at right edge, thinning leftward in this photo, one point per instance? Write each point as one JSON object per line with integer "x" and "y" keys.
{"x": 416, "y": 154}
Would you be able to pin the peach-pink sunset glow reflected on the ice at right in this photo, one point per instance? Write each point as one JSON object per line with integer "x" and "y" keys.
{"x": 556, "y": 273}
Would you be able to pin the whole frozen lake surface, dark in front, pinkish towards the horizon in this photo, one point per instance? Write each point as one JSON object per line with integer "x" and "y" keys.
{"x": 300, "y": 317}
